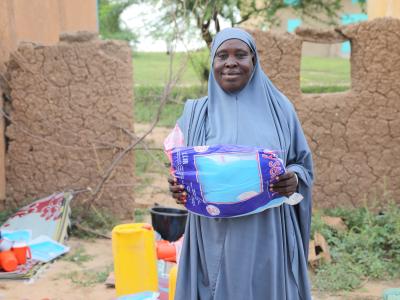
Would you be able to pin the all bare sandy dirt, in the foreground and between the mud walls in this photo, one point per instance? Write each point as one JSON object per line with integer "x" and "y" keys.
{"x": 80, "y": 274}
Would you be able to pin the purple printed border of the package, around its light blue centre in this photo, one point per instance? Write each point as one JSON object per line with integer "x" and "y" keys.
{"x": 184, "y": 169}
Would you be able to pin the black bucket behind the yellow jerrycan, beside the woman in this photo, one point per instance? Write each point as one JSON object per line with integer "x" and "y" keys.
{"x": 169, "y": 222}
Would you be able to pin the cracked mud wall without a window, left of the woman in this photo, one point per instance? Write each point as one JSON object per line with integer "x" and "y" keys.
{"x": 69, "y": 102}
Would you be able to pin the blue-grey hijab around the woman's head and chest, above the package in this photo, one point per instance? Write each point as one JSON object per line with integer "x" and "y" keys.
{"x": 248, "y": 117}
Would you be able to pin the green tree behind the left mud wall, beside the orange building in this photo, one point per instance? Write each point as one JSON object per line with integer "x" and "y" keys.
{"x": 110, "y": 20}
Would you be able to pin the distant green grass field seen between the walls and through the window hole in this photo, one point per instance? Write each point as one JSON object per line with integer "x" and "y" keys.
{"x": 318, "y": 75}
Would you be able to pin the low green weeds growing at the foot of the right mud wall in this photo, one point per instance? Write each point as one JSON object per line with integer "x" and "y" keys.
{"x": 370, "y": 248}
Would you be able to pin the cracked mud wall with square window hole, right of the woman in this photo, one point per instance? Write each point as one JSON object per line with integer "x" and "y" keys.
{"x": 354, "y": 135}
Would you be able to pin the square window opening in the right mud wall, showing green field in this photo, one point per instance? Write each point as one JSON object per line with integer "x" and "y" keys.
{"x": 324, "y": 68}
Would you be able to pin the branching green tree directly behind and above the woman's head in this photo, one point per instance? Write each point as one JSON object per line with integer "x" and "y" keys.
{"x": 207, "y": 14}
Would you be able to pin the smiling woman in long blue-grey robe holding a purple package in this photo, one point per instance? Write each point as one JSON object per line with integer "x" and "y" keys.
{"x": 264, "y": 255}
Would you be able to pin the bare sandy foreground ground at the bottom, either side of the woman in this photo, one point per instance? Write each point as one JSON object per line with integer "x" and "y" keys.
{"x": 66, "y": 279}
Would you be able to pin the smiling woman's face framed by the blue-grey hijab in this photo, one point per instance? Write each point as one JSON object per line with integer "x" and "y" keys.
{"x": 233, "y": 65}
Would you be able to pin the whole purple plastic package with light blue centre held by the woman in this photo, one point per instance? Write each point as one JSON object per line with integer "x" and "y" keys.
{"x": 227, "y": 180}
